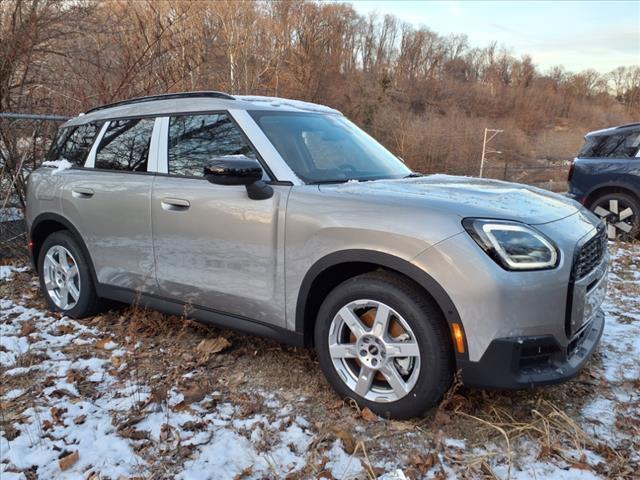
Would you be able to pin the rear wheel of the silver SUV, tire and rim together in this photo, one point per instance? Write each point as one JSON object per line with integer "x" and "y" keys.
{"x": 64, "y": 249}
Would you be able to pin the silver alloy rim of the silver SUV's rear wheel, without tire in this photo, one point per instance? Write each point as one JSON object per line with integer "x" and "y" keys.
{"x": 61, "y": 277}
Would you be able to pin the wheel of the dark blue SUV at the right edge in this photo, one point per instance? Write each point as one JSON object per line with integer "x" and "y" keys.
{"x": 621, "y": 212}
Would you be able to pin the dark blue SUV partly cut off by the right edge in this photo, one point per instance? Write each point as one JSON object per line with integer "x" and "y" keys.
{"x": 605, "y": 177}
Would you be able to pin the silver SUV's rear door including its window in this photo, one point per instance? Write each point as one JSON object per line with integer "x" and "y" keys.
{"x": 109, "y": 203}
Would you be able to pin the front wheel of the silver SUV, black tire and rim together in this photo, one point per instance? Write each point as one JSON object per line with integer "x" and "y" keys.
{"x": 426, "y": 376}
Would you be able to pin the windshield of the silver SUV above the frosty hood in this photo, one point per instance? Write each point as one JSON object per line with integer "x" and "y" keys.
{"x": 328, "y": 148}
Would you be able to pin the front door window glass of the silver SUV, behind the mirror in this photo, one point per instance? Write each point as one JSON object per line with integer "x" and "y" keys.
{"x": 195, "y": 140}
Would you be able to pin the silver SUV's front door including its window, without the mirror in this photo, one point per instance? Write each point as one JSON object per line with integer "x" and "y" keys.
{"x": 214, "y": 246}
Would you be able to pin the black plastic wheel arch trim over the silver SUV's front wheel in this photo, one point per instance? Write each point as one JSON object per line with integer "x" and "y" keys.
{"x": 333, "y": 269}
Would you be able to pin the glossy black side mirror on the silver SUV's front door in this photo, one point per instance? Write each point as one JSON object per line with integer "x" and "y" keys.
{"x": 234, "y": 170}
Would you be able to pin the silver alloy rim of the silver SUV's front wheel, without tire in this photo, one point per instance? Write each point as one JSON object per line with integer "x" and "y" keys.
{"x": 374, "y": 351}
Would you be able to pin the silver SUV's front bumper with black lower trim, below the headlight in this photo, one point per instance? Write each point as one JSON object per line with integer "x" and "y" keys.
{"x": 524, "y": 328}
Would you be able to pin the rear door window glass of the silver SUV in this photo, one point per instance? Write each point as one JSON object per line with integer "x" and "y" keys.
{"x": 125, "y": 145}
